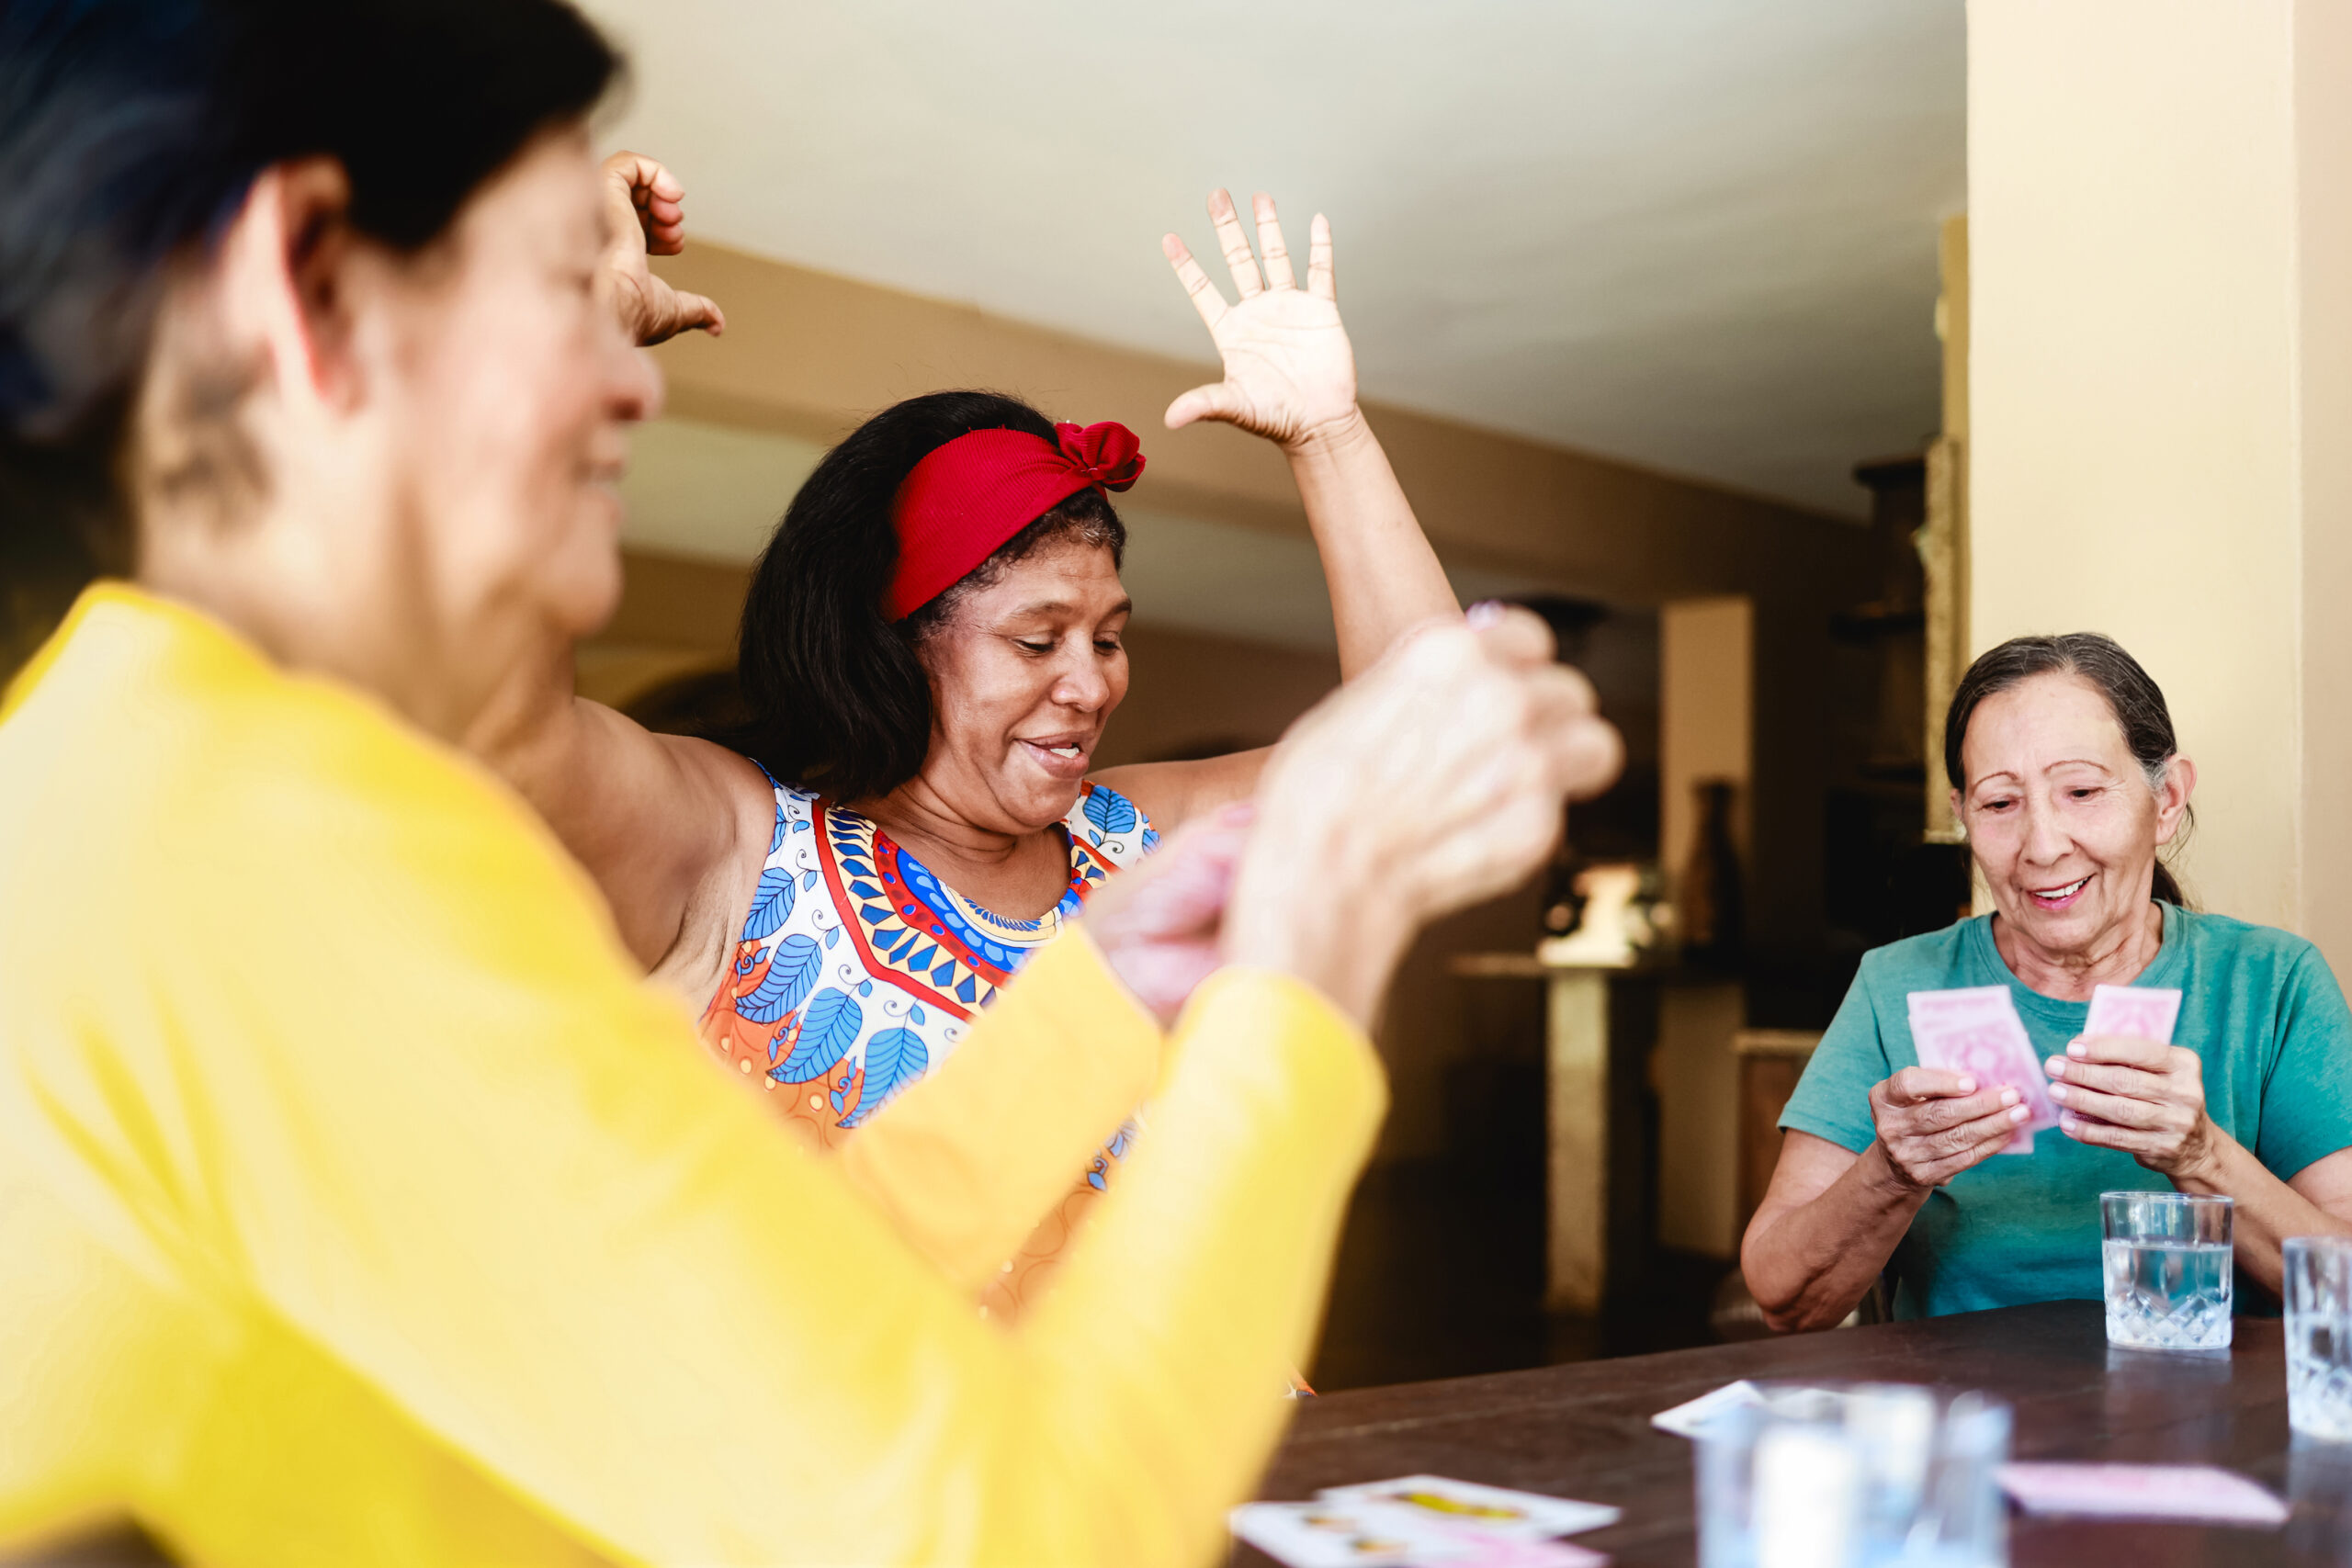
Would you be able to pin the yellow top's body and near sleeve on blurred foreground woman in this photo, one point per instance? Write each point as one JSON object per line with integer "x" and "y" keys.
{"x": 375, "y": 1214}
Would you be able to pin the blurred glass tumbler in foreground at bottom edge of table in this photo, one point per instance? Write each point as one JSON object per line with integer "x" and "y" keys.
{"x": 1876, "y": 1475}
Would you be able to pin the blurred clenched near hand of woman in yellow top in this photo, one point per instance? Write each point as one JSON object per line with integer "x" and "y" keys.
{"x": 1431, "y": 782}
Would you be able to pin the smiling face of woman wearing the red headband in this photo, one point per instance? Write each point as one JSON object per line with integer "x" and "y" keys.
{"x": 1024, "y": 676}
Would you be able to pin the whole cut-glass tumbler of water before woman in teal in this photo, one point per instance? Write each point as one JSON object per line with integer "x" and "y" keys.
{"x": 2170, "y": 1271}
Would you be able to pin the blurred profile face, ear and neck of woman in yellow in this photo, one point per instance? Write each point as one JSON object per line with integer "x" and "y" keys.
{"x": 434, "y": 438}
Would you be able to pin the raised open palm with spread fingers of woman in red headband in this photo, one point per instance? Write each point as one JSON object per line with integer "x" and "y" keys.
{"x": 1290, "y": 370}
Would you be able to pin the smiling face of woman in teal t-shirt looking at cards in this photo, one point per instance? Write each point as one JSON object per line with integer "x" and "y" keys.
{"x": 2059, "y": 815}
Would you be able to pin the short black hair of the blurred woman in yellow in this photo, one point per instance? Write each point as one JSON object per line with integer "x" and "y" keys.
{"x": 131, "y": 133}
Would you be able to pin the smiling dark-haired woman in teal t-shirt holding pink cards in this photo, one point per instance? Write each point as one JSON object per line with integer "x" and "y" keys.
{"x": 2069, "y": 784}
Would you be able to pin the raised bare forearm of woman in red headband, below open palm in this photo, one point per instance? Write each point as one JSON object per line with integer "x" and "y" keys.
{"x": 1377, "y": 561}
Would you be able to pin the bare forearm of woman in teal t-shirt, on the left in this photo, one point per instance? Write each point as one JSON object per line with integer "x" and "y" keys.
{"x": 1812, "y": 1264}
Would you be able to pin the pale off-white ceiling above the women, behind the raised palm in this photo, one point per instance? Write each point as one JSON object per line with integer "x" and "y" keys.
{"x": 1690, "y": 234}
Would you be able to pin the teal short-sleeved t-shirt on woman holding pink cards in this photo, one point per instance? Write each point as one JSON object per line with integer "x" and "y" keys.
{"x": 2261, "y": 1010}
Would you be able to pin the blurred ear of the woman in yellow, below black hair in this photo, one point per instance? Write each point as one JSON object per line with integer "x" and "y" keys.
{"x": 283, "y": 279}
